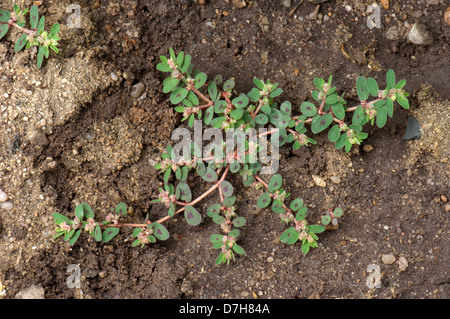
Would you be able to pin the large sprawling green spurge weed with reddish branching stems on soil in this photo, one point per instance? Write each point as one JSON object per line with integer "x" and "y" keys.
{"x": 217, "y": 105}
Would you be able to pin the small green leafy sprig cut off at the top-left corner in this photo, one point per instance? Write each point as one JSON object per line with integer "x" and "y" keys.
{"x": 36, "y": 36}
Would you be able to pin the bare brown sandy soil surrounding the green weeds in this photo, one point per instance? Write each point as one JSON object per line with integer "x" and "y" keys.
{"x": 73, "y": 132}
